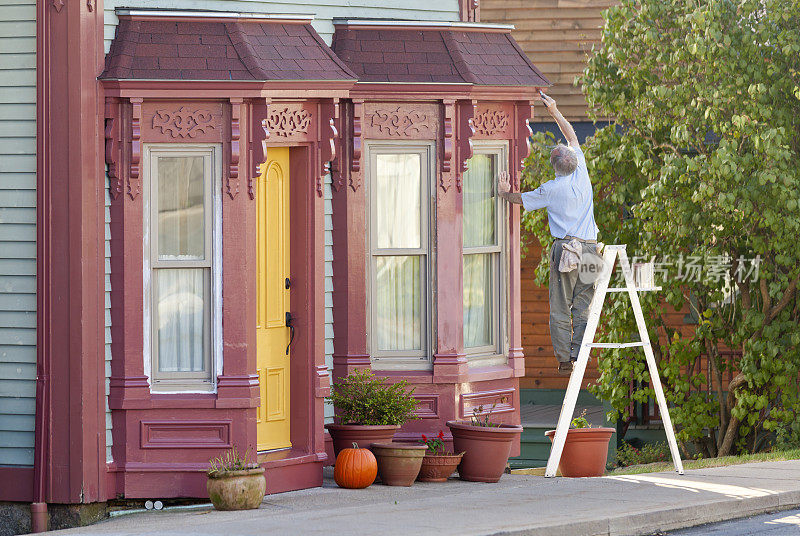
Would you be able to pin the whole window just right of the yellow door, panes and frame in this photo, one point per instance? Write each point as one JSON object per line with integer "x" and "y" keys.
{"x": 399, "y": 189}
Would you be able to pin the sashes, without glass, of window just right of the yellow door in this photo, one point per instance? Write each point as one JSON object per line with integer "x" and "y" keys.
{"x": 397, "y": 357}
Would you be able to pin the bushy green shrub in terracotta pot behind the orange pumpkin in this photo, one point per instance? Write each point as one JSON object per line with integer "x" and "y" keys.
{"x": 368, "y": 409}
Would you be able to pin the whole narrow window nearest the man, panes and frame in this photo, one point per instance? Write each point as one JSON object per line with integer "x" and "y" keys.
{"x": 483, "y": 233}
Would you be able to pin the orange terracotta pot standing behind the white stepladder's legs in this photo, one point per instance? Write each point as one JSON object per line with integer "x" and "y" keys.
{"x": 585, "y": 451}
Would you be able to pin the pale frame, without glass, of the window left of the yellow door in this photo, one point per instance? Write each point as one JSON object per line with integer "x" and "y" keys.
{"x": 192, "y": 382}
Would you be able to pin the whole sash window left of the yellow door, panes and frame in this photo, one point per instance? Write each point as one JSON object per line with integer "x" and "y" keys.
{"x": 180, "y": 265}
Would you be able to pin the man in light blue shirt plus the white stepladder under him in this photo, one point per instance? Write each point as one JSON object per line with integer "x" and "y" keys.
{"x": 575, "y": 266}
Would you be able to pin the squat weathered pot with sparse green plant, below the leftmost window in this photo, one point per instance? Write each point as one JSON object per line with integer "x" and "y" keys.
{"x": 234, "y": 483}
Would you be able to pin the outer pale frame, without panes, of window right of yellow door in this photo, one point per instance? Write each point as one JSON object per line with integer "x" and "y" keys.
{"x": 404, "y": 360}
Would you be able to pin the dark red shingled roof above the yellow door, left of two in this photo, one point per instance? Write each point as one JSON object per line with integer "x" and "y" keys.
{"x": 215, "y": 50}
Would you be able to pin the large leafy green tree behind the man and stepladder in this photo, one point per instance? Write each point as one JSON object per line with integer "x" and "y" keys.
{"x": 701, "y": 161}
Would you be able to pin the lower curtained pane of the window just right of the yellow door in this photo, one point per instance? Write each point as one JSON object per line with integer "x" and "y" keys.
{"x": 398, "y": 303}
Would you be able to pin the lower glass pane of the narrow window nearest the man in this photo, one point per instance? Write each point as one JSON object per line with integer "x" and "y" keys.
{"x": 478, "y": 300}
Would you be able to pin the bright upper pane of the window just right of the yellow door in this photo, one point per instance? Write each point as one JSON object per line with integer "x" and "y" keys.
{"x": 397, "y": 183}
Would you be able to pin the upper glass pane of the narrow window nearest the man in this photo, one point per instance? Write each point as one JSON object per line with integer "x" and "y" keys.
{"x": 479, "y": 201}
